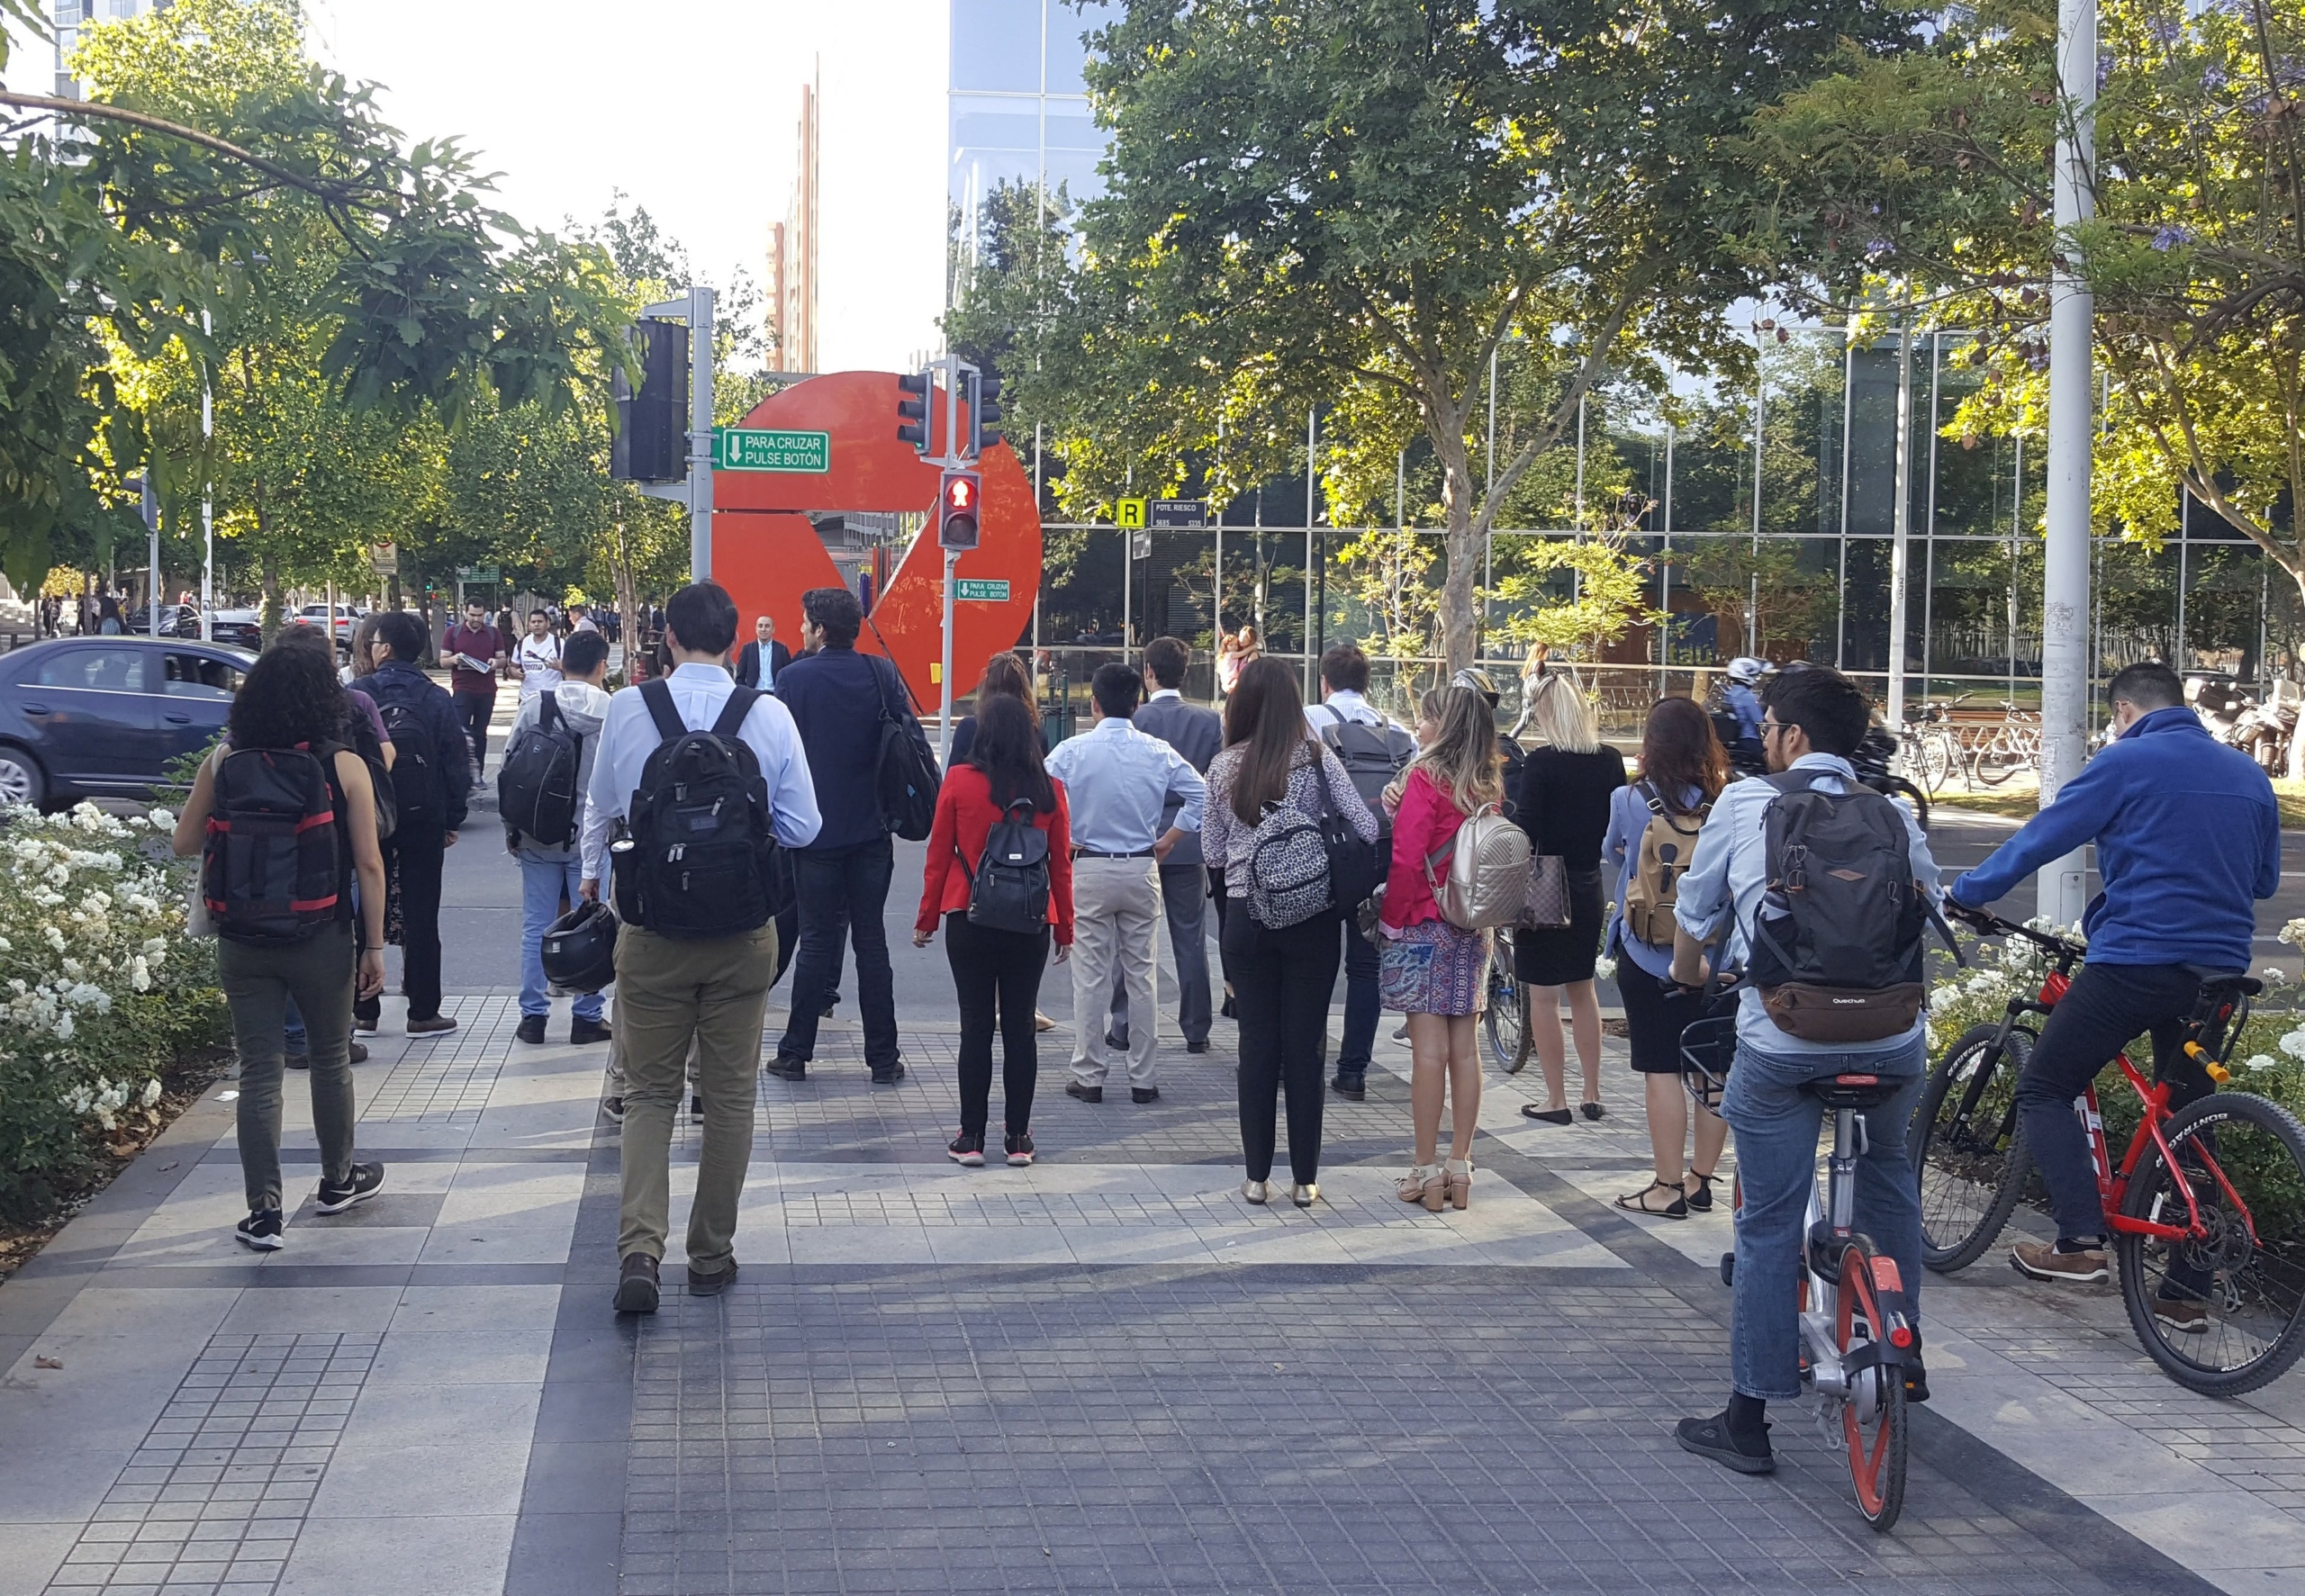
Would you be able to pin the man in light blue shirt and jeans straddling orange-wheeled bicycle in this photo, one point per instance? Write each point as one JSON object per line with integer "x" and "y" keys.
{"x": 1813, "y": 722}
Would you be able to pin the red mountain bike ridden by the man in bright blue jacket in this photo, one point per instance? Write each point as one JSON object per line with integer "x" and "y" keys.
{"x": 2207, "y": 1210}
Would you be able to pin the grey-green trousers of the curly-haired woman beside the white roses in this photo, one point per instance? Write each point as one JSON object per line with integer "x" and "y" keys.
{"x": 257, "y": 987}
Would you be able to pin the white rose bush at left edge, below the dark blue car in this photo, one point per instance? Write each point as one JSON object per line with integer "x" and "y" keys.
{"x": 103, "y": 991}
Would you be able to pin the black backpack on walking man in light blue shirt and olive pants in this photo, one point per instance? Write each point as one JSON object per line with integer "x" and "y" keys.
{"x": 700, "y": 858}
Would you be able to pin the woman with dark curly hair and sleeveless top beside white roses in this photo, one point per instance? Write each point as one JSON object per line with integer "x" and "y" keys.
{"x": 292, "y": 704}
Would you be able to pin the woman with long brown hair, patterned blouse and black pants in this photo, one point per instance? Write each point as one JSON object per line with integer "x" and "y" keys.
{"x": 1283, "y": 980}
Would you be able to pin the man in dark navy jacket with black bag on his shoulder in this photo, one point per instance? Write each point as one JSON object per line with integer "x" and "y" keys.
{"x": 838, "y": 699}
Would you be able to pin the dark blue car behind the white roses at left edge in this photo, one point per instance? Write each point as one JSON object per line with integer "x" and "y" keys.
{"x": 103, "y": 717}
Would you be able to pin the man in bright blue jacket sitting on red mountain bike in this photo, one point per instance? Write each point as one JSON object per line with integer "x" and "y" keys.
{"x": 2189, "y": 839}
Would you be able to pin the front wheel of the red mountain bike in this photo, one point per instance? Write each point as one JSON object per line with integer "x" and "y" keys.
{"x": 1967, "y": 1150}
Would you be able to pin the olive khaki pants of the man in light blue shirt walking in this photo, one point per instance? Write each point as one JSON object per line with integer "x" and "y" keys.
{"x": 667, "y": 996}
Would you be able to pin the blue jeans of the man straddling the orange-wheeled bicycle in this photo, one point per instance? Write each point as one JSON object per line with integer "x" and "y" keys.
{"x": 1776, "y": 1157}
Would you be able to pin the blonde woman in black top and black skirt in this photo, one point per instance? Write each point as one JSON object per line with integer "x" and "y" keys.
{"x": 1564, "y": 805}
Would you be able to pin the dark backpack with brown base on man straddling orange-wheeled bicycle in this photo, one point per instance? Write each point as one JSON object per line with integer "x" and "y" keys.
{"x": 1838, "y": 938}
